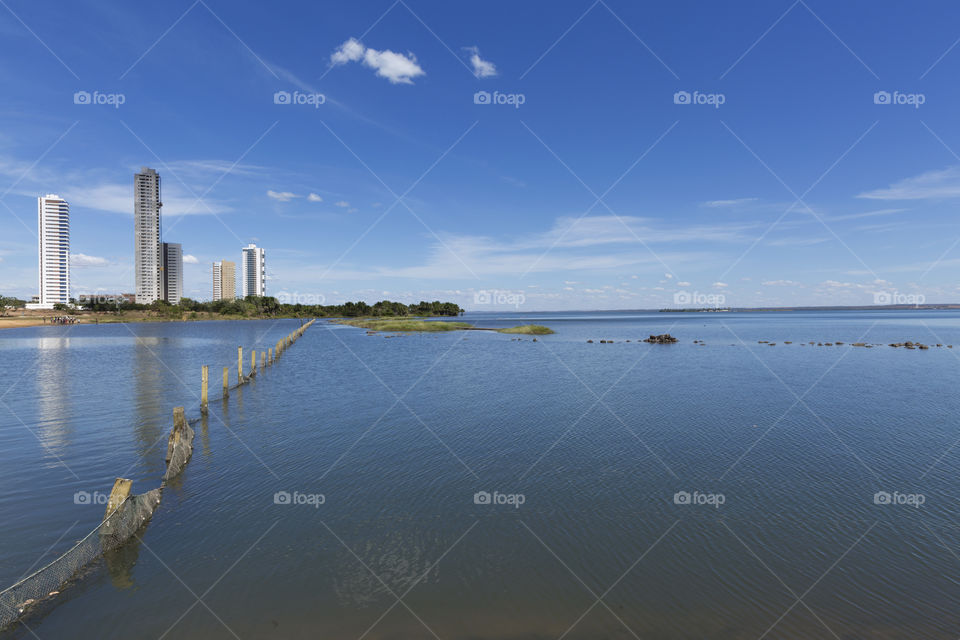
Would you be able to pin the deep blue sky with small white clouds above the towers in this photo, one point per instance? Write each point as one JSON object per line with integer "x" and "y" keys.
{"x": 606, "y": 188}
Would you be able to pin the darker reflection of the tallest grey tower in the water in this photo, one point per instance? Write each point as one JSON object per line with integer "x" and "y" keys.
{"x": 150, "y": 424}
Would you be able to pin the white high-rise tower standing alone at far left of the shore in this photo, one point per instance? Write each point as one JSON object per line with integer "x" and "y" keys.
{"x": 53, "y": 219}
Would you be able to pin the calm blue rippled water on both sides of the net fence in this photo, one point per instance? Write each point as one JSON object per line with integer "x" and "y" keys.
{"x": 398, "y": 434}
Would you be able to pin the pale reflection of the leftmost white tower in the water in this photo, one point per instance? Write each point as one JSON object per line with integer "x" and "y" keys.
{"x": 52, "y": 392}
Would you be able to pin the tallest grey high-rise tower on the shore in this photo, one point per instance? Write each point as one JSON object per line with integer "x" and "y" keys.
{"x": 148, "y": 260}
